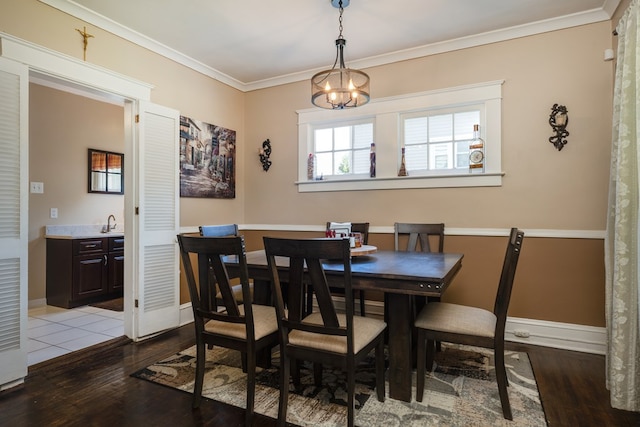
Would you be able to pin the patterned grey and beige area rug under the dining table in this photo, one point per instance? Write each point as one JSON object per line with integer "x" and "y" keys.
{"x": 460, "y": 391}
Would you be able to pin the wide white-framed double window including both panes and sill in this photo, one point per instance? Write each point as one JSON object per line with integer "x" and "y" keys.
{"x": 435, "y": 128}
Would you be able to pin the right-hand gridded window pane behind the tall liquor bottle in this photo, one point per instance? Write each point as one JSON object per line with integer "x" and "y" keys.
{"x": 438, "y": 141}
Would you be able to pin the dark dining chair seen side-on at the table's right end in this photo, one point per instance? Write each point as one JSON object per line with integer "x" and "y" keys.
{"x": 471, "y": 325}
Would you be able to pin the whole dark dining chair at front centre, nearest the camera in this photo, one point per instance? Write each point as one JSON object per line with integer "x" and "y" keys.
{"x": 324, "y": 336}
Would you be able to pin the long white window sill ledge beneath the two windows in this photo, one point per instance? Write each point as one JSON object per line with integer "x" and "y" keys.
{"x": 402, "y": 182}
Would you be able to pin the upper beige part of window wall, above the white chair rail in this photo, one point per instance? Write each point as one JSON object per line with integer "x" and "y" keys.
{"x": 542, "y": 188}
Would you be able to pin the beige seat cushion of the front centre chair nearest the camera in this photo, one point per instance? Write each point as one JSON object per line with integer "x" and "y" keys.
{"x": 365, "y": 330}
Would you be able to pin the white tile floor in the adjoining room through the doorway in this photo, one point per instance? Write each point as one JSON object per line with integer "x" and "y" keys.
{"x": 55, "y": 331}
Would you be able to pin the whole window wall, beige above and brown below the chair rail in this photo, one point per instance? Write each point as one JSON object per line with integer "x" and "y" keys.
{"x": 559, "y": 279}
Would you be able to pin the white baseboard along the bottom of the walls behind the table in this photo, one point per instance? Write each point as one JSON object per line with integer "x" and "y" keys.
{"x": 565, "y": 336}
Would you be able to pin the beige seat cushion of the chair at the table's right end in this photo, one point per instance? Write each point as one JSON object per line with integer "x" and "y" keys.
{"x": 459, "y": 319}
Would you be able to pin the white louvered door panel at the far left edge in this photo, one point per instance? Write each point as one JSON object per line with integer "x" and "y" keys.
{"x": 14, "y": 197}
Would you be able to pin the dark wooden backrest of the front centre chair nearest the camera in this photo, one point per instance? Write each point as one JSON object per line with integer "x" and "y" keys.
{"x": 305, "y": 258}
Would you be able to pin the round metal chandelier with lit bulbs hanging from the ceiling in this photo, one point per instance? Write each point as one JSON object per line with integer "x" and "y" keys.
{"x": 341, "y": 87}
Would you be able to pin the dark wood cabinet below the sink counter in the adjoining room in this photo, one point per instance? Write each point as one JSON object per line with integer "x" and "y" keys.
{"x": 83, "y": 271}
